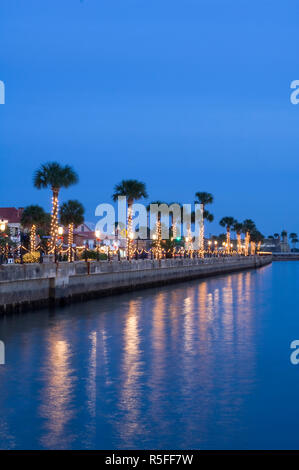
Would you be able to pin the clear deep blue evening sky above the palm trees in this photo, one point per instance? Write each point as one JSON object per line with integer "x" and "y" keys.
{"x": 186, "y": 96}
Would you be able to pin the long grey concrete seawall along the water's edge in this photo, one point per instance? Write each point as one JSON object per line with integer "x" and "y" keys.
{"x": 30, "y": 286}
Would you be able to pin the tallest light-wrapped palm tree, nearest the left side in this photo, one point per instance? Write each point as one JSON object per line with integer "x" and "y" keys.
{"x": 55, "y": 176}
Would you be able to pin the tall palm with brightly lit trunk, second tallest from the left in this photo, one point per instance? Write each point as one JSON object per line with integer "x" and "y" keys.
{"x": 133, "y": 190}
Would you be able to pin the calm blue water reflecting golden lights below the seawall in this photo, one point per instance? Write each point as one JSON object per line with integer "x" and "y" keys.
{"x": 199, "y": 365}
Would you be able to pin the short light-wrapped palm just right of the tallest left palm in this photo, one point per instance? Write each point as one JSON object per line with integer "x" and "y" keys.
{"x": 71, "y": 215}
